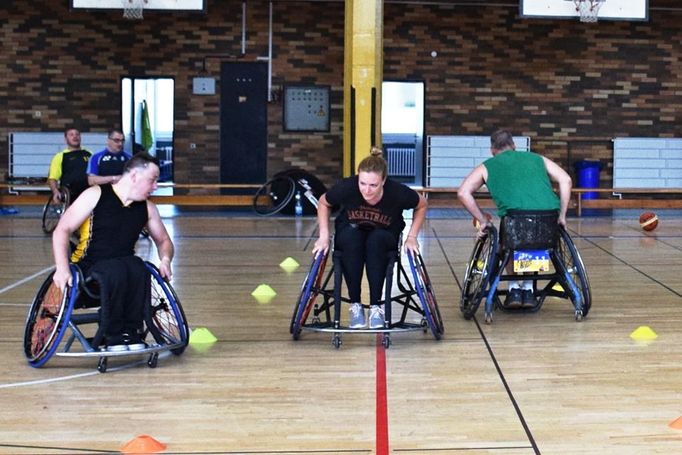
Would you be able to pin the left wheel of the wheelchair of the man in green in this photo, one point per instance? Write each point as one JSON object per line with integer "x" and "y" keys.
{"x": 479, "y": 272}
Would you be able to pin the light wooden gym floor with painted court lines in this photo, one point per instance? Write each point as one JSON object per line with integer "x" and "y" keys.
{"x": 534, "y": 383}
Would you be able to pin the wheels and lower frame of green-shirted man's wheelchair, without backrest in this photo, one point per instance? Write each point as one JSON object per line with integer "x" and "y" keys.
{"x": 486, "y": 269}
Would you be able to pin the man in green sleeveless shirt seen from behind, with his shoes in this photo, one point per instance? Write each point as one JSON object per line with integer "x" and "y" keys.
{"x": 517, "y": 180}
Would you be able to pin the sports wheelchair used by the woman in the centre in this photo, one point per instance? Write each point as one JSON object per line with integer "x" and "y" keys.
{"x": 416, "y": 299}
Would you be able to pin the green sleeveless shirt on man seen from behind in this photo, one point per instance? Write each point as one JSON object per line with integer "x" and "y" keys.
{"x": 519, "y": 181}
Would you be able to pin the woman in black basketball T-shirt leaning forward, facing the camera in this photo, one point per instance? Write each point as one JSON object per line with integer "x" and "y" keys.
{"x": 367, "y": 228}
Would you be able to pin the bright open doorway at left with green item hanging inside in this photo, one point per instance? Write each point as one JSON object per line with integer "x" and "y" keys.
{"x": 158, "y": 96}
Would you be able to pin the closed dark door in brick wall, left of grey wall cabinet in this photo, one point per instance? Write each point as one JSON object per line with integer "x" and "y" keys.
{"x": 243, "y": 122}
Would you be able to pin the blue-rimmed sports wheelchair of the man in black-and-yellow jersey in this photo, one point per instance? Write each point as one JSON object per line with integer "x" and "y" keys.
{"x": 54, "y": 312}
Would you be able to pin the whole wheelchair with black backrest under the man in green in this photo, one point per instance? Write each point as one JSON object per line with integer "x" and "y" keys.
{"x": 540, "y": 250}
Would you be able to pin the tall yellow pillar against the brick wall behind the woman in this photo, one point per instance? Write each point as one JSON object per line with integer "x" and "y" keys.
{"x": 363, "y": 74}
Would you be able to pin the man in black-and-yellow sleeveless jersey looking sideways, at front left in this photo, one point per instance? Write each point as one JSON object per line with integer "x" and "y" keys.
{"x": 109, "y": 219}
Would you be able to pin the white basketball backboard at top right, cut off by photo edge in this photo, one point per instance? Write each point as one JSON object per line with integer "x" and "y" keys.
{"x": 619, "y": 10}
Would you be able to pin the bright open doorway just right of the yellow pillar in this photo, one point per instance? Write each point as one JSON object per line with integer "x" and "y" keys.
{"x": 402, "y": 130}
